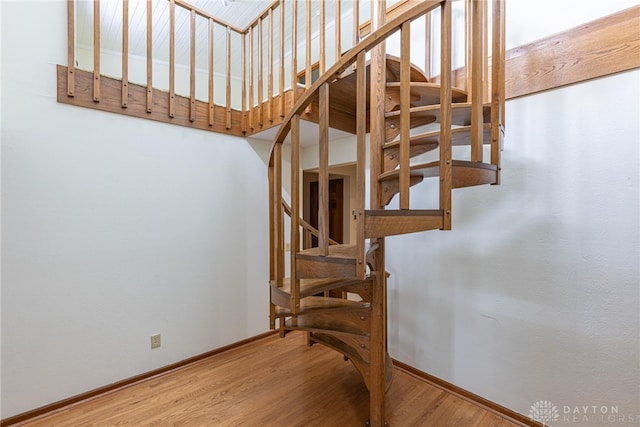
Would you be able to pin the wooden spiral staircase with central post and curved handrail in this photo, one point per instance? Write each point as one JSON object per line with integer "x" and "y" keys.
{"x": 337, "y": 292}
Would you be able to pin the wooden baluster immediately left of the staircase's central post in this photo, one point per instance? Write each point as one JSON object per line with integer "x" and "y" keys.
{"x": 361, "y": 152}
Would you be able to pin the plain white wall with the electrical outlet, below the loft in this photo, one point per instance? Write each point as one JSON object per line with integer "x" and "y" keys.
{"x": 114, "y": 229}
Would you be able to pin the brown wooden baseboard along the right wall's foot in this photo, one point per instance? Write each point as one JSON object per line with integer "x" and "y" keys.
{"x": 485, "y": 404}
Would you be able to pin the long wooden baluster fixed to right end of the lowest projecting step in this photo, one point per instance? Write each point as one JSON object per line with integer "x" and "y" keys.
{"x": 445, "y": 115}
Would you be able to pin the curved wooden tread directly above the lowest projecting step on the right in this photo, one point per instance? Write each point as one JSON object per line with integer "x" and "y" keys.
{"x": 465, "y": 173}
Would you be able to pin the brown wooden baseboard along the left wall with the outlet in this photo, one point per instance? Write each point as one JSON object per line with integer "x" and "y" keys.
{"x": 126, "y": 382}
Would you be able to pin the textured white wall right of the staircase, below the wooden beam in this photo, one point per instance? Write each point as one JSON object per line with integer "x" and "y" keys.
{"x": 534, "y": 294}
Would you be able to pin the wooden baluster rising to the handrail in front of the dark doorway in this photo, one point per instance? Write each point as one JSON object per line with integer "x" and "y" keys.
{"x": 323, "y": 173}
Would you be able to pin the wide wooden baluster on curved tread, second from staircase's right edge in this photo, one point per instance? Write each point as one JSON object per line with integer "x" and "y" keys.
{"x": 476, "y": 82}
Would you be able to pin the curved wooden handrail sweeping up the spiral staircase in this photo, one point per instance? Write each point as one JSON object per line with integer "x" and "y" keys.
{"x": 350, "y": 57}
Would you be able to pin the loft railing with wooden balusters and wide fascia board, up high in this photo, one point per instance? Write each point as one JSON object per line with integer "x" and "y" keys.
{"x": 240, "y": 80}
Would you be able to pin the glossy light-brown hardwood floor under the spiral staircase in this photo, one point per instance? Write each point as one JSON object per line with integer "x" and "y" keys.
{"x": 270, "y": 382}
